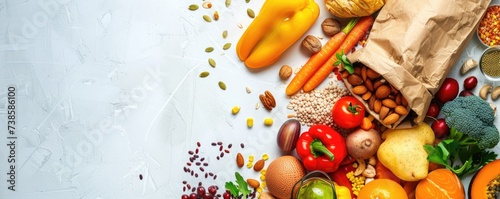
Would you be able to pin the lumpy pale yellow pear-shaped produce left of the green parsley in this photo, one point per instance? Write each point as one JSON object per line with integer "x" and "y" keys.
{"x": 402, "y": 151}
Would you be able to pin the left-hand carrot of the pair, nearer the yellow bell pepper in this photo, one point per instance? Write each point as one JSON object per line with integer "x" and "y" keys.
{"x": 316, "y": 60}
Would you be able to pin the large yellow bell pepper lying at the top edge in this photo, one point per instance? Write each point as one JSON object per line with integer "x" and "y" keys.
{"x": 279, "y": 24}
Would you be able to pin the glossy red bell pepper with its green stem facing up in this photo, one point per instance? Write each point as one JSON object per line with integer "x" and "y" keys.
{"x": 321, "y": 148}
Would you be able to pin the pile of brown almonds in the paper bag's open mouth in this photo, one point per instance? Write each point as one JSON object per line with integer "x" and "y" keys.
{"x": 381, "y": 97}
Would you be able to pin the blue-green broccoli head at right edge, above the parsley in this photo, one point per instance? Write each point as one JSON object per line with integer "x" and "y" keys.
{"x": 473, "y": 117}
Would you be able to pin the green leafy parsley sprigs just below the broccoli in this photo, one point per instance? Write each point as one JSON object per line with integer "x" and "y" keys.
{"x": 458, "y": 148}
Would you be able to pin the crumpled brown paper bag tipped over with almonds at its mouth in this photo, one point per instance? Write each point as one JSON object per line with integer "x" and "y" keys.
{"x": 414, "y": 44}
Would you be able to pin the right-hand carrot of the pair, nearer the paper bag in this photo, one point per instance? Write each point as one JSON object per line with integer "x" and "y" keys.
{"x": 350, "y": 41}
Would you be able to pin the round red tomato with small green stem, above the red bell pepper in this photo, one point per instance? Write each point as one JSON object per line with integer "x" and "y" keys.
{"x": 348, "y": 112}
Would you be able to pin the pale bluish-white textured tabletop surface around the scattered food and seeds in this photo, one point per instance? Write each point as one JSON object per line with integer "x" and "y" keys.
{"x": 109, "y": 90}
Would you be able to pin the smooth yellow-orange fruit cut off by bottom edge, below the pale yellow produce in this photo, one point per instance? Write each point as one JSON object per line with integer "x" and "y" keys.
{"x": 382, "y": 189}
